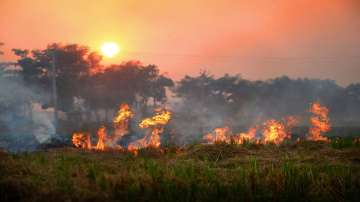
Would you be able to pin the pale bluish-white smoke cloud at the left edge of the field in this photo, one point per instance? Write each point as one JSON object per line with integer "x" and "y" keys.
{"x": 24, "y": 123}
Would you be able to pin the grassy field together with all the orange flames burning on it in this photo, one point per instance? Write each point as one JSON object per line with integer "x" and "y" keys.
{"x": 266, "y": 162}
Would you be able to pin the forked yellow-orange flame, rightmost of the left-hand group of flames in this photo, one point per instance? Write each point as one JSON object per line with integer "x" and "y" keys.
{"x": 156, "y": 124}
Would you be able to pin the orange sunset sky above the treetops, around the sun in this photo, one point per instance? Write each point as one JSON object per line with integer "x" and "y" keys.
{"x": 258, "y": 39}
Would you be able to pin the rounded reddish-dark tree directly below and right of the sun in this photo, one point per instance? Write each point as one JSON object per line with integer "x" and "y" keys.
{"x": 129, "y": 82}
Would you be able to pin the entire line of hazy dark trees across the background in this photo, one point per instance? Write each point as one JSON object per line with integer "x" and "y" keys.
{"x": 201, "y": 99}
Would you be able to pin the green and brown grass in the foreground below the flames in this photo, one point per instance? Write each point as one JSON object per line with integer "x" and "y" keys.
{"x": 306, "y": 171}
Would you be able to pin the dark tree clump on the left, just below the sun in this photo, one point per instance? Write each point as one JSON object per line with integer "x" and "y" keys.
{"x": 79, "y": 73}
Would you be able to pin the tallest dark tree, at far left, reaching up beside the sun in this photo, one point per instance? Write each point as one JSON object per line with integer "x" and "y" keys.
{"x": 73, "y": 64}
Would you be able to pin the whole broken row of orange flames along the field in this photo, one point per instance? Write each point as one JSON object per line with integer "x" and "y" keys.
{"x": 273, "y": 131}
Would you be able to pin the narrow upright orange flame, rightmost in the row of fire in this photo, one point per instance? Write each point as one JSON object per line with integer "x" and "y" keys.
{"x": 320, "y": 122}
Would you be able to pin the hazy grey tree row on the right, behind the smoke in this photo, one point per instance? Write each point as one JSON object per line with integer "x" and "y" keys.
{"x": 237, "y": 101}
